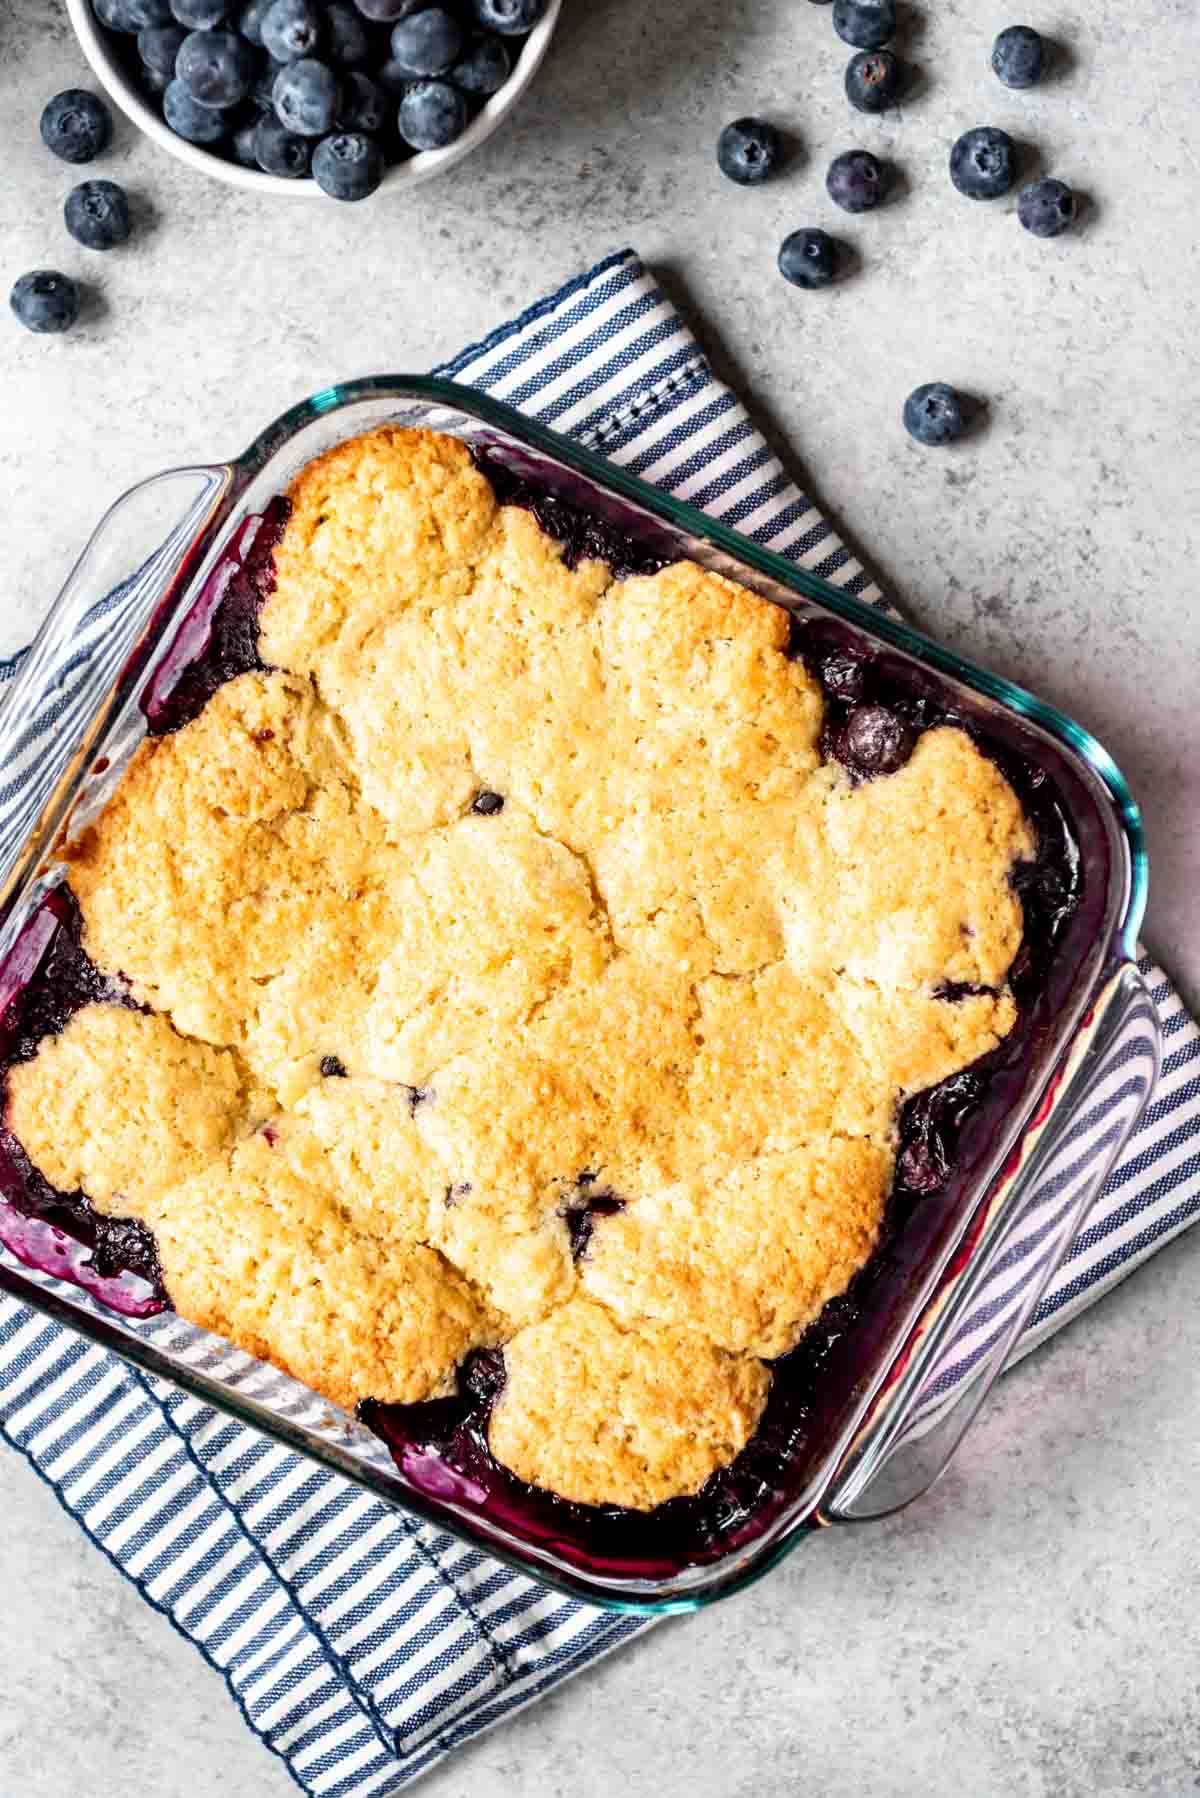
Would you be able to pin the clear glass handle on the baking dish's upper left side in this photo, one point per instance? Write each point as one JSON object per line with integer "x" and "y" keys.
{"x": 51, "y": 717}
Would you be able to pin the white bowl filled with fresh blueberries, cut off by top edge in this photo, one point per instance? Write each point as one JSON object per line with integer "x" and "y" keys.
{"x": 316, "y": 96}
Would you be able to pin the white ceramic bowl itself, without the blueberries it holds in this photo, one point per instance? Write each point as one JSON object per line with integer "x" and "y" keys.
{"x": 422, "y": 168}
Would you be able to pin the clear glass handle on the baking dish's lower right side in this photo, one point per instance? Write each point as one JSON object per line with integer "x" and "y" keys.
{"x": 972, "y": 1326}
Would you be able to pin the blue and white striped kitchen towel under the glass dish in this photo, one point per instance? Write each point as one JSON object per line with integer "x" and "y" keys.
{"x": 364, "y": 1646}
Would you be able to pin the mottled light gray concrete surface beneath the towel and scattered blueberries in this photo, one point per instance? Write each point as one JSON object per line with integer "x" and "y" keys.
{"x": 1030, "y": 1630}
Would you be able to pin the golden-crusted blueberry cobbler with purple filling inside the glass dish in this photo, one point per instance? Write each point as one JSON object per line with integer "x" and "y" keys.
{"x": 508, "y": 988}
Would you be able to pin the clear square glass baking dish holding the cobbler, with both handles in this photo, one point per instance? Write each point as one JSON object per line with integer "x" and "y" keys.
{"x": 949, "y": 1294}
